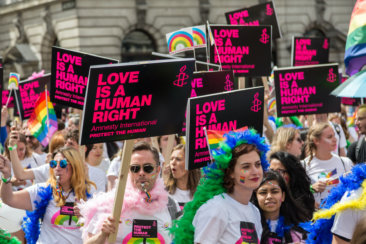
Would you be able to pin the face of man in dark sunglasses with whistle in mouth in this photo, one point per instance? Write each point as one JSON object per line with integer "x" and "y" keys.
{"x": 143, "y": 160}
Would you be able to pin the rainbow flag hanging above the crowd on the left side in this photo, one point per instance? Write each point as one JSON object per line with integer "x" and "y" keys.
{"x": 38, "y": 124}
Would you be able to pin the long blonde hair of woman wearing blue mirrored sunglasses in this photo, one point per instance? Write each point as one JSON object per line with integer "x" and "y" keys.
{"x": 80, "y": 182}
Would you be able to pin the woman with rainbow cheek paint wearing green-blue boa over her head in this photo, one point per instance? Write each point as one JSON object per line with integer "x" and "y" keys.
{"x": 220, "y": 211}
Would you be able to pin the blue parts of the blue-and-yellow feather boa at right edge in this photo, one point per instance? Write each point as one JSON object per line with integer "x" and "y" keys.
{"x": 319, "y": 231}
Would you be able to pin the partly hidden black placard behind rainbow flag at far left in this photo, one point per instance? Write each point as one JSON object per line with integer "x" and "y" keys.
{"x": 28, "y": 93}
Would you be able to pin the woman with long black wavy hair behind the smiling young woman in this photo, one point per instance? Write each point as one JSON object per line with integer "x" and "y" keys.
{"x": 295, "y": 177}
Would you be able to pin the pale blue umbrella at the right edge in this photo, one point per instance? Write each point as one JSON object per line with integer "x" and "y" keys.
{"x": 355, "y": 86}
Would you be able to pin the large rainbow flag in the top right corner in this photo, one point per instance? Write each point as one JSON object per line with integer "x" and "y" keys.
{"x": 355, "y": 54}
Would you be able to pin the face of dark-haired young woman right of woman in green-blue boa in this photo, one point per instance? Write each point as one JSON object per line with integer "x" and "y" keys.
{"x": 270, "y": 198}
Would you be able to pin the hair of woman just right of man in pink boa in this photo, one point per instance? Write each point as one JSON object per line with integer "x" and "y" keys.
{"x": 194, "y": 176}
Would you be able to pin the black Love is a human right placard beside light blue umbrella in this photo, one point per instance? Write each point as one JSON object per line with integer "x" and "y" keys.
{"x": 306, "y": 90}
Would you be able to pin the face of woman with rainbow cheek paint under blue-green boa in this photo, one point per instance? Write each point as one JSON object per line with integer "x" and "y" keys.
{"x": 248, "y": 172}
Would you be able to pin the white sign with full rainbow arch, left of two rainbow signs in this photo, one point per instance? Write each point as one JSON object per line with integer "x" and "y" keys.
{"x": 180, "y": 41}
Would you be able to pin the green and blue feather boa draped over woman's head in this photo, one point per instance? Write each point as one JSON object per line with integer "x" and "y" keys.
{"x": 212, "y": 184}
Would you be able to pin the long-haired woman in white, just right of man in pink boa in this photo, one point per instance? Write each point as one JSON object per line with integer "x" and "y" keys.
{"x": 181, "y": 183}
